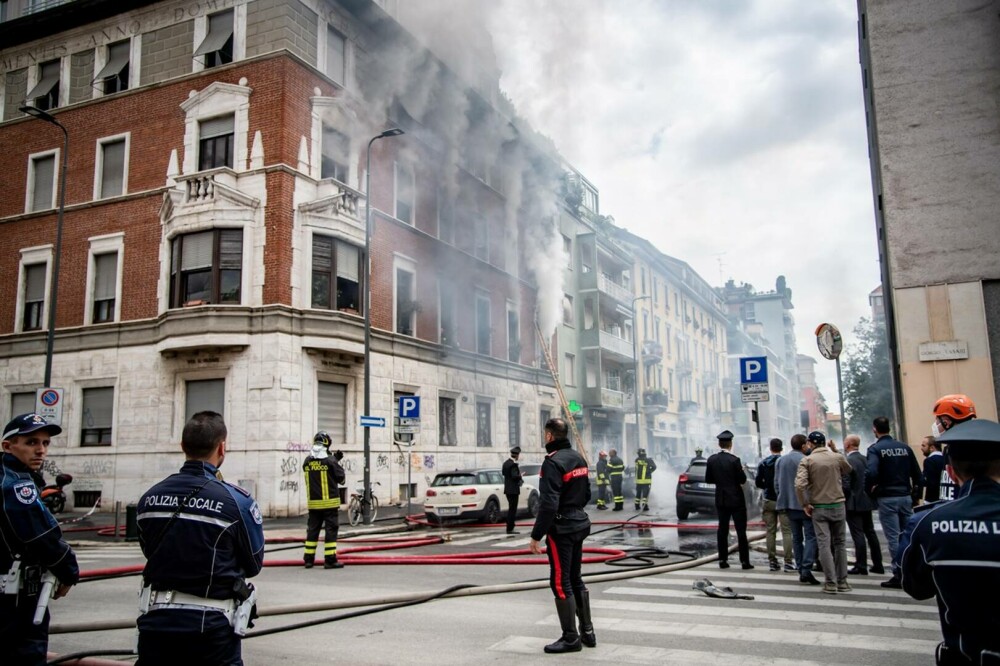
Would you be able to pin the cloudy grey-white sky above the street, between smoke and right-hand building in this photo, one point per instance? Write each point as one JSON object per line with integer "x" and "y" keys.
{"x": 730, "y": 133}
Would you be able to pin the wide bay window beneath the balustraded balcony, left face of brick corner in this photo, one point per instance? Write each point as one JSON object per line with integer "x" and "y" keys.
{"x": 206, "y": 267}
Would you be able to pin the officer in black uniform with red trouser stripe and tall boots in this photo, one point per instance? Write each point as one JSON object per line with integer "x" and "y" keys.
{"x": 564, "y": 491}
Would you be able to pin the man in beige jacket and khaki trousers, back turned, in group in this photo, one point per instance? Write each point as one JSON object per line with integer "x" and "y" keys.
{"x": 819, "y": 488}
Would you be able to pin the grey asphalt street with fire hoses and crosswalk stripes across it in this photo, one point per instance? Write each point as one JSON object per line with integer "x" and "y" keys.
{"x": 639, "y": 619}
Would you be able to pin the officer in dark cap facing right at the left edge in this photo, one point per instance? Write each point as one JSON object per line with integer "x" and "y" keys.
{"x": 31, "y": 543}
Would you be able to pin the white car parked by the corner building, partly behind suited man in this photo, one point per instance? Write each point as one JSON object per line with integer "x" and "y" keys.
{"x": 474, "y": 494}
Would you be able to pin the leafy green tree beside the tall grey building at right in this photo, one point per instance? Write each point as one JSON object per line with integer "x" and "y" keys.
{"x": 867, "y": 381}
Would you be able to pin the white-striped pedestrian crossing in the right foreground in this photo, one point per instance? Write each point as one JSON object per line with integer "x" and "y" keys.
{"x": 661, "y": 620}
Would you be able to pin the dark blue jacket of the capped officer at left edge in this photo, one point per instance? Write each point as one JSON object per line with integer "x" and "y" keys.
{"x": 27, "y": 528}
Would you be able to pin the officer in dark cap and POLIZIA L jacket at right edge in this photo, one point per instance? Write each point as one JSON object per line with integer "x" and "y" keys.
{"x": 955, "y": 546}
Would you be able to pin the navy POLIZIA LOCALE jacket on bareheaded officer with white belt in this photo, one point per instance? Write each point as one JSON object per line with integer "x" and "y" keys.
{"x": 216, "y": 540}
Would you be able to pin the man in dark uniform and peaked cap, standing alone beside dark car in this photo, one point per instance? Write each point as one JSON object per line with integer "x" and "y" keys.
{"x": 726, "y": 471}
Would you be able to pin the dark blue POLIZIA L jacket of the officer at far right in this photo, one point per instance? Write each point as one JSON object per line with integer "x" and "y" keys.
{"x": 954, "y": 552}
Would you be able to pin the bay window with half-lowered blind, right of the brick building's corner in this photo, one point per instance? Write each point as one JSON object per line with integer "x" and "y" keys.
{"x": 335, "y": 275}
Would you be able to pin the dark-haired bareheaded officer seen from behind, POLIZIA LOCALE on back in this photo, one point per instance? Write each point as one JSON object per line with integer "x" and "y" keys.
{"x": 202, "y": 539}
